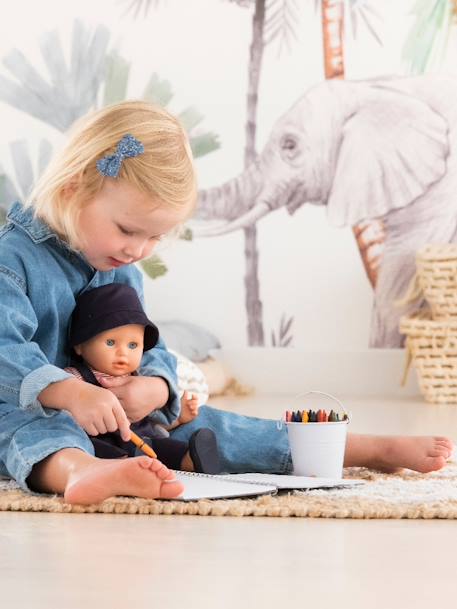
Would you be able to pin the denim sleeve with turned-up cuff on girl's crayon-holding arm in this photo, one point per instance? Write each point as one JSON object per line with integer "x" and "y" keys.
{"x": 24, "y": 369}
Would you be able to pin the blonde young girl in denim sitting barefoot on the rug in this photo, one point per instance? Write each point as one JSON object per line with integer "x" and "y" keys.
{"x": 124, "y": 180}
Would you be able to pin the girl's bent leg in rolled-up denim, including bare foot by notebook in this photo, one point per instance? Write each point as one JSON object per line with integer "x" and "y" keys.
{"x": 53, "y": 454}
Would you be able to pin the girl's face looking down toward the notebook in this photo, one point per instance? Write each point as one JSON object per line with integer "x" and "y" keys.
{"x": 122, "y": 225}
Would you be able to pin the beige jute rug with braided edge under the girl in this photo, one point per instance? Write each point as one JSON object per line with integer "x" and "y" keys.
{"x": 405, "y": 495}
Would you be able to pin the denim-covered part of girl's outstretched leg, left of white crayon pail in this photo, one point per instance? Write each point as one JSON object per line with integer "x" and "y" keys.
{"x": 246, "y": 444}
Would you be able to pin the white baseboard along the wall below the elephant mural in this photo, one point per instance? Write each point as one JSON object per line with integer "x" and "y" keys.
{"x": 374, "y": 372}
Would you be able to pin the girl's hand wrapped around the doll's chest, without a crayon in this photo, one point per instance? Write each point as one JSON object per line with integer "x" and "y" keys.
{"x": 139, "y": 395}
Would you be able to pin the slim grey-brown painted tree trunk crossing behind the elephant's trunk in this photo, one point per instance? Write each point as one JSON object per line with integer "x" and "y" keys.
{"x": 251, "y": 279}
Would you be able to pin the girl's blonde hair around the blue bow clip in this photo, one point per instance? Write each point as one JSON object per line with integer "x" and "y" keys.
{"x": 164, "y": 171}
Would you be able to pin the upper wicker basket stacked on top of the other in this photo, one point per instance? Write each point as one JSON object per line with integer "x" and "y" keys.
{"x": 437, "y": 278}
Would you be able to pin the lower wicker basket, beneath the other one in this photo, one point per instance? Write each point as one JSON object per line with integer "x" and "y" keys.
{"x": 432, "y": 349}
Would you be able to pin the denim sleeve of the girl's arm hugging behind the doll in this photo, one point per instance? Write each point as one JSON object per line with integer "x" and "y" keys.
{"x": 157, "y": 361}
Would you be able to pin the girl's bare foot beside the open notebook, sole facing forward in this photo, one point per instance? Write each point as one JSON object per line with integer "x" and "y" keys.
{"x": 136, "y": 477}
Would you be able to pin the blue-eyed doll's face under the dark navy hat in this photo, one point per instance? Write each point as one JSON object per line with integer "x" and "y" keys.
{"x": 116, "y": 352}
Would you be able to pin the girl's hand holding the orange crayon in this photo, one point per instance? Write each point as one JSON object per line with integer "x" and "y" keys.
{"x": 95, "y": 409}
